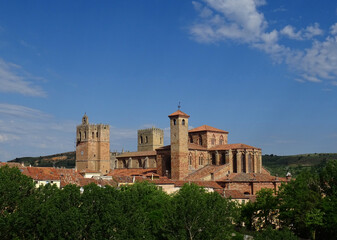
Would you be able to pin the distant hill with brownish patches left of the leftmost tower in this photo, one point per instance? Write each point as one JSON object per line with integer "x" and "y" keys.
{"x": 66, "y": 160}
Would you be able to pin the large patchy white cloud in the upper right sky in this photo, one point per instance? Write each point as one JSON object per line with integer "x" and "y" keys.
{"x": 240, "y": 21}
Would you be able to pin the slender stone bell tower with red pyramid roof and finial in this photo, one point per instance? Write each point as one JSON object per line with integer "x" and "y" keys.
{"x": 179, "y": 144}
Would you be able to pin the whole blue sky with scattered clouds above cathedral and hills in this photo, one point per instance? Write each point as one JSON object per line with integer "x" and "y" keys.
{"x": 266, "y": 71}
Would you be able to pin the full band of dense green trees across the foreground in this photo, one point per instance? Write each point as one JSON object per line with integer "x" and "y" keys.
{"x": 305, "y": 207}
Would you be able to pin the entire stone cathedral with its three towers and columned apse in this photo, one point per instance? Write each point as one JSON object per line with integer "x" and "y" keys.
{"x": 202, "y": 153}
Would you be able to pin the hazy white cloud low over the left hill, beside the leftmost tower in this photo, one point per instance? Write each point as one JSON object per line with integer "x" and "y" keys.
{"x": 36, "y": 132}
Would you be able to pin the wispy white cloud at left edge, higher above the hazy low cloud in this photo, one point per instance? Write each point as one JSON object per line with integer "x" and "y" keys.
{"x": 14, "y": 79}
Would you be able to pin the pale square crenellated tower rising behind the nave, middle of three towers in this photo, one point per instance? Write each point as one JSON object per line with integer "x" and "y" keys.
{"x": 150, "y": 139}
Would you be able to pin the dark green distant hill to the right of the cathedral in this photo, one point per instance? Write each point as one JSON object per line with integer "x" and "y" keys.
{"x": 280, "y": 165}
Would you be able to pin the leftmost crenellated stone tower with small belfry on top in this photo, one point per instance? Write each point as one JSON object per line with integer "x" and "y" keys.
{"x": 92, "y": 146}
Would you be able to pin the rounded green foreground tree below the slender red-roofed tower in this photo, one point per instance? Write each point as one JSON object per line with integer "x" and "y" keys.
{"x": 195, "y": 214}
